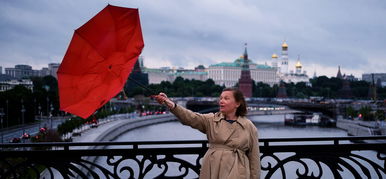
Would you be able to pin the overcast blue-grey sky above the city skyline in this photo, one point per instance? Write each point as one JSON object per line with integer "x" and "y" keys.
{"x": 187, "y": 33}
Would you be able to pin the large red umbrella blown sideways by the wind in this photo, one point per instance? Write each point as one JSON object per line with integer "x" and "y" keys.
{"x": 99, "y": 59}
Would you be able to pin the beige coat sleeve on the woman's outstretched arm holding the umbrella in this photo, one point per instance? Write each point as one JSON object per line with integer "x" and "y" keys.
{"x": 192, "y": 119}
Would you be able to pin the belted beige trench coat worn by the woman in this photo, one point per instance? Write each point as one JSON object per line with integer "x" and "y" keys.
{"x": 233, "y": 148}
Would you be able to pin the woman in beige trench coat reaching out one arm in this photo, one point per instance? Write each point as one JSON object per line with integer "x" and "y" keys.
{"x": 233, "y": 143}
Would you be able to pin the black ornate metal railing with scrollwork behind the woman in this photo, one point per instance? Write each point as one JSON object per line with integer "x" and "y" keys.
{"x": 331, "y": 157}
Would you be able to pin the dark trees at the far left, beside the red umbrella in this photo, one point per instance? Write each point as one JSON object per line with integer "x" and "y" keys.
{"x": 42, "y": 100}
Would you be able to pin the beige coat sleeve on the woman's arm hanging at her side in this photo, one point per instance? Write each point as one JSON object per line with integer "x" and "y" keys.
{"x": 254, "y": 154}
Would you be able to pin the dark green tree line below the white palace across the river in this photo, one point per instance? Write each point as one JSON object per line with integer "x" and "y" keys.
{"x": 319, "y": 86}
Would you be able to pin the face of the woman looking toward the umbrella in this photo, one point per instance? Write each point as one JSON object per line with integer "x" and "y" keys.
{"x": 228, "y": 104}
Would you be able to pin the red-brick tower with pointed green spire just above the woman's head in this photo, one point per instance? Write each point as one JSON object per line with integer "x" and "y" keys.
{"x": 245, "y": 81}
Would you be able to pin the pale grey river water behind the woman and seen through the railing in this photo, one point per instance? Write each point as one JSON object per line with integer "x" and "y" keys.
{"x": 269, "y": 126}
